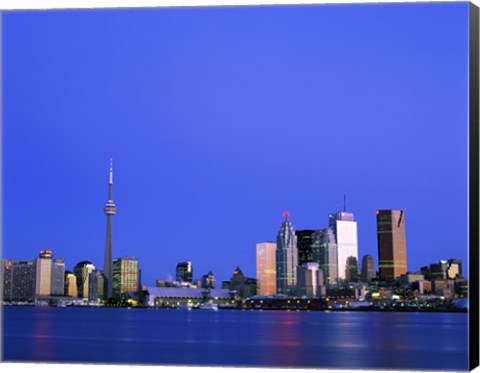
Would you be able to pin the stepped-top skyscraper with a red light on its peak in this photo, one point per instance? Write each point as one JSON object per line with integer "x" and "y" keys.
{"x": 286, "y": 258}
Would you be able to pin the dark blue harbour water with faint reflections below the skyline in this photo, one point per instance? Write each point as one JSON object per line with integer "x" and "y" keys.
{"x": 345, "y": 340}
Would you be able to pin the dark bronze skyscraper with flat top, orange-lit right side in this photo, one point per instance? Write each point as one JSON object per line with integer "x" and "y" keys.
{"x": 392, "y": 246}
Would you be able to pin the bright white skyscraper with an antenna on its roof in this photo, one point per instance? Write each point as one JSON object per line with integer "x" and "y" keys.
{"x": 344, "y": 229}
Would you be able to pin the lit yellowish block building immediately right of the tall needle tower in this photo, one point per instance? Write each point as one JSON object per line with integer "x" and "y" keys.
{"x": 125, "y": 276}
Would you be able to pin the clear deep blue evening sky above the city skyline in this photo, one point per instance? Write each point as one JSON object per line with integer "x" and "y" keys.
{"x": 219, "y": 119}
